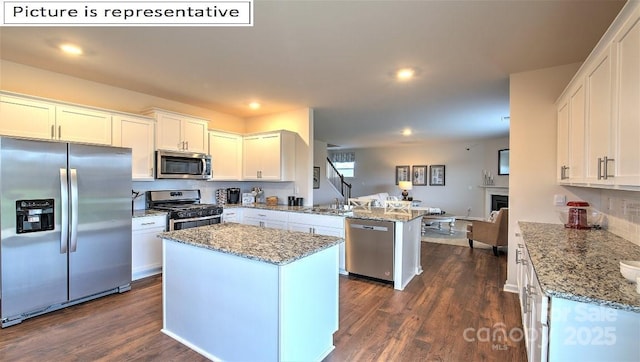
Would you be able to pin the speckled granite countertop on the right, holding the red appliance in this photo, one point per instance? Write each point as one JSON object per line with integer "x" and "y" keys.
{"x": 582, "y": 265}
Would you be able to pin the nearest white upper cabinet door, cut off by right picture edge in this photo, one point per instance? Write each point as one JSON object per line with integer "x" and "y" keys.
{"x": 626, "y": 164}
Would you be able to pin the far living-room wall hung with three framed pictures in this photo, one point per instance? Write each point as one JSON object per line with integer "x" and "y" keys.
{"x": 375, "y": 172}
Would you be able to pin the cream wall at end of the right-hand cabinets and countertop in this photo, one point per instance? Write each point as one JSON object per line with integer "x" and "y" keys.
{"x": 533, "y": 151}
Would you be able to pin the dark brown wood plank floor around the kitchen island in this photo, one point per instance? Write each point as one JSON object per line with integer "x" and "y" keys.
{"x": 449, "y": 313}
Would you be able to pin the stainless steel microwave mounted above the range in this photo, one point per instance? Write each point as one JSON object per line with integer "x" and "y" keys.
{"x": 183, "y": 165}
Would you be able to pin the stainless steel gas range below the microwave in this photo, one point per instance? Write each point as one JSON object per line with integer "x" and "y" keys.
{"x": 184, "y": 207}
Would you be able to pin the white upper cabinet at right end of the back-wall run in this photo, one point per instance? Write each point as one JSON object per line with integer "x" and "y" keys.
{"x": 269, "y": 157}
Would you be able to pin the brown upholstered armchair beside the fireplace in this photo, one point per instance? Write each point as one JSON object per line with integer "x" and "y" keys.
{"x": 494, "y": 232}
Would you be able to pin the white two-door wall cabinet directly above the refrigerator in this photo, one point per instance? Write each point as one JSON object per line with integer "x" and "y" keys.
{"x": 33, "y": 118}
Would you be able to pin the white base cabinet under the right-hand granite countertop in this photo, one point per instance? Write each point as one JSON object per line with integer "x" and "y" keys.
{"x": 558, "y": 329}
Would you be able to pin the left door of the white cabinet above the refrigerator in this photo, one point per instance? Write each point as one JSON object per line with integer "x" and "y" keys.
{"x": 21, "y": 117}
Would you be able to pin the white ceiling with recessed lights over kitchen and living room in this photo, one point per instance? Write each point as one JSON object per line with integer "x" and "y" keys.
{"x": 338, "y": 57}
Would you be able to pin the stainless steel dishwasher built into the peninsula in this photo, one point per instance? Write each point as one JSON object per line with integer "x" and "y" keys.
{"x": 369, "y": 248}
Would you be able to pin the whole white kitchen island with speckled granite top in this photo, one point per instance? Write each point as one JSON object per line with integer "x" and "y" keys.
{"x": 245, "y": 293}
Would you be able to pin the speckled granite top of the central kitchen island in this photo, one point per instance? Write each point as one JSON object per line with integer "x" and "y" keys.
{"x": 272, "y": 246}
